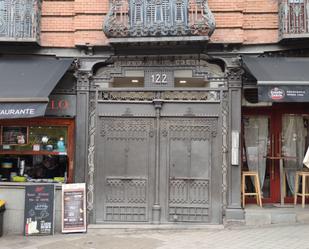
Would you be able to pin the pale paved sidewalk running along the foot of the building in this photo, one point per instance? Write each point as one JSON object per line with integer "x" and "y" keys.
{"x": 272, "y": 237}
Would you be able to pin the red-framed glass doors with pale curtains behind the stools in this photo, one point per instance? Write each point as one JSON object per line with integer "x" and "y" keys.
{"x": 272, "y": 135}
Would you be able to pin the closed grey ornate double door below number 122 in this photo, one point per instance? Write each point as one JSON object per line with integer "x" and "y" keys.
{"x": 146, "y": 164}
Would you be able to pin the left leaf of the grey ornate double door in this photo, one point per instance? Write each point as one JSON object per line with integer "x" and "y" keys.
{"x": 124, "y": 159}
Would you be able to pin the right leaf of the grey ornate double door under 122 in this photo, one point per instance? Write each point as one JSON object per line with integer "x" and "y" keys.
{"x": 188, "y": 144}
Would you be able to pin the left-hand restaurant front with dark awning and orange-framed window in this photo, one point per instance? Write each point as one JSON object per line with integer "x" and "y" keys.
{"x": 37, "y": 119}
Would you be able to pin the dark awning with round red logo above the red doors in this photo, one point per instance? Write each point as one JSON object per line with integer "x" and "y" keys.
{"x": 280, "y": 79}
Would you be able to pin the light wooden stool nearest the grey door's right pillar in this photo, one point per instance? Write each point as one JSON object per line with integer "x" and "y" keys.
{"x": 257, "y": 187}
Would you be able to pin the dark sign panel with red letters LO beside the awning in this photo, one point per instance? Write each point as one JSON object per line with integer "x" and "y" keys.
{"x": 61, "y": 105}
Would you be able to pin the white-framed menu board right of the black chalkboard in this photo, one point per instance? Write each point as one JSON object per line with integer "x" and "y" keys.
{"x": 74, "y": 208}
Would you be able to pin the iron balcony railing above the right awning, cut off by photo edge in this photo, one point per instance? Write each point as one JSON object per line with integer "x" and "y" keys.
{"x": 294, "y": 21}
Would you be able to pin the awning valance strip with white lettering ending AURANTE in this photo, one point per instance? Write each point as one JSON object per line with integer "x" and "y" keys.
{"x": 21, "y": 110}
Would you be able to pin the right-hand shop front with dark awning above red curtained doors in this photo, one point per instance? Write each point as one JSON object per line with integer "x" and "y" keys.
{"x": 275, "y": 128}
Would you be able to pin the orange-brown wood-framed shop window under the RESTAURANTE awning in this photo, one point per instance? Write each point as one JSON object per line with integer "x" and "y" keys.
{"x": 36, "y": 151}
